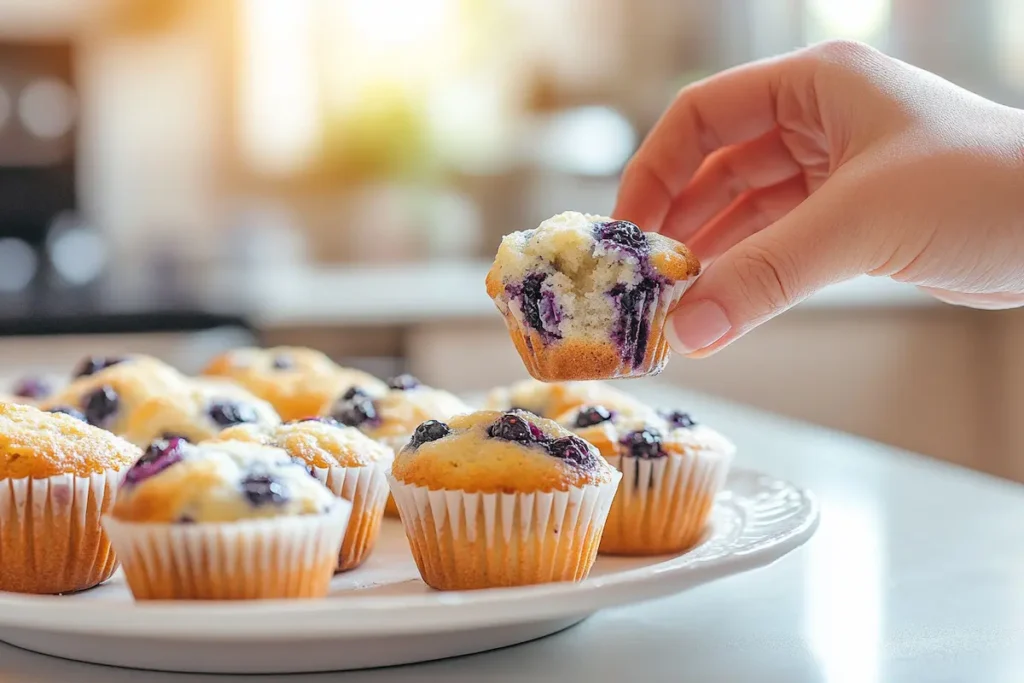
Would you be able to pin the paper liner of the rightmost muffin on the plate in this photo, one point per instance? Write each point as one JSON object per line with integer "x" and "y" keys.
{"x": 663, "y": 504}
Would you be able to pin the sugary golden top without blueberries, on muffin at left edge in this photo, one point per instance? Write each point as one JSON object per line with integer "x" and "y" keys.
{"x": 39, "y": 445}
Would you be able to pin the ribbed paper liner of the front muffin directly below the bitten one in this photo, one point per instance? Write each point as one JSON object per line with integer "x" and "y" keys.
{"x": 466, "y": 541}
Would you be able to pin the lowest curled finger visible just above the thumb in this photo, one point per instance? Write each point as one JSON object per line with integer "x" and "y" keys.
{"x": 754, "y": 211}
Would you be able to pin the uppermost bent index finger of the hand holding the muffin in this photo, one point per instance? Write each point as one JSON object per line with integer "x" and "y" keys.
{"x": 729, "y": 109}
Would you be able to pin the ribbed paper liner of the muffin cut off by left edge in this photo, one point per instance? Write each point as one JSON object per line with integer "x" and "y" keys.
{"x": 52, "y": 540}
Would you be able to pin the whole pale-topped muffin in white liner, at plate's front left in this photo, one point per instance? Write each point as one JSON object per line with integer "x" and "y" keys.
{"x": 225, "y": 522}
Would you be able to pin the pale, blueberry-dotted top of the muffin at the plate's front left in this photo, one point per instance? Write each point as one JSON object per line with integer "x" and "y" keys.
{"x": 181, "y": 483}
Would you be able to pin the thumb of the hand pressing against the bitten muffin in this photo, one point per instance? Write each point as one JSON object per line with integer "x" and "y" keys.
{"x": 816, "y": 245}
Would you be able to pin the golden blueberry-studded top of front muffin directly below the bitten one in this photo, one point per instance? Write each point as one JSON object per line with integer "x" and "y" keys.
{"x": 495, "y": 452}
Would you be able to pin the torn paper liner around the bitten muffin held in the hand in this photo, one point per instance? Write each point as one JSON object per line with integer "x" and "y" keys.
{"x": 589, "y": 359}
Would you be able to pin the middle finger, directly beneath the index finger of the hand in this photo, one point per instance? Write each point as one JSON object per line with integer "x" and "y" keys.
{"x": 727, "y": 176}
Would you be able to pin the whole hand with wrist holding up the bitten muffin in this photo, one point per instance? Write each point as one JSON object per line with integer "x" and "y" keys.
{"x": 793, "y": 174}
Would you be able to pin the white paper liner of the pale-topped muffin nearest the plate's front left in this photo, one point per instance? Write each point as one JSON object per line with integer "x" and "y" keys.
{"x": 280, "y": 558}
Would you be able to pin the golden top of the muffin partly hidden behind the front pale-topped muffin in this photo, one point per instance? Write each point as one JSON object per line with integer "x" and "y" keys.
{"x": 320, "y": 443}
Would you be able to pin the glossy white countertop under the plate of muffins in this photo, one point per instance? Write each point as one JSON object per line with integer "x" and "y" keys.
{"x": 915, "y": 577}
